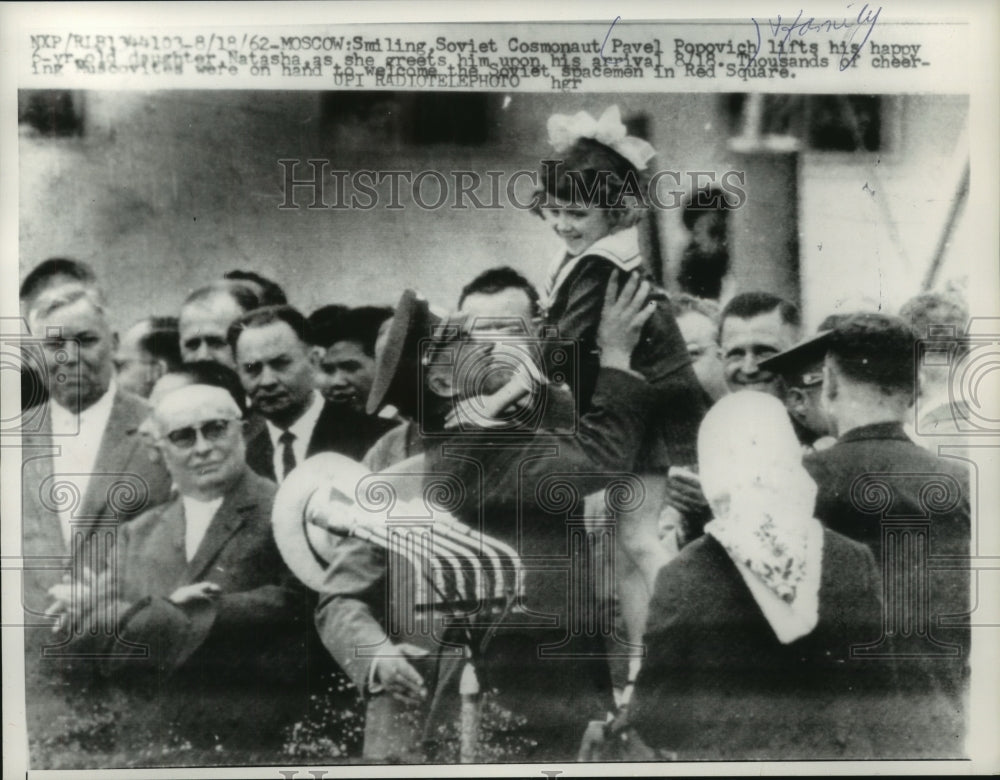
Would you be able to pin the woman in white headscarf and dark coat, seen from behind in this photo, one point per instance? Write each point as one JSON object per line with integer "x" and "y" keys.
{"x": 750, "y": 628}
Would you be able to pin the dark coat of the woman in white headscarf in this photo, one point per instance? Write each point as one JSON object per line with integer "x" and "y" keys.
{"x": 717, "y": 684}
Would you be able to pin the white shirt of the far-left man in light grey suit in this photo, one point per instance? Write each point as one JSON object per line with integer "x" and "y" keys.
{"x": 79, "y": 440}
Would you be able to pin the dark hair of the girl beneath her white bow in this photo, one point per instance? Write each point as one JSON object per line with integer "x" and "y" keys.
{"x": 592, "y": 175}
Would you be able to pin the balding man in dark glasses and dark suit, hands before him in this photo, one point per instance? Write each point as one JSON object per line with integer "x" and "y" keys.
{"x": 218, "y": 628}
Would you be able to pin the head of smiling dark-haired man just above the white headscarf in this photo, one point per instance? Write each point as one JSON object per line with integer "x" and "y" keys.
{"x": 754, "y": 327}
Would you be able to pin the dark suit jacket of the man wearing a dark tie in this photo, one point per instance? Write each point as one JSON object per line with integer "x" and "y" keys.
{"x": 338, "y": 429}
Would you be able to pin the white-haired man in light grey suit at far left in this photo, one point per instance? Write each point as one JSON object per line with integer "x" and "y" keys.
{"x": 84, "y": 469}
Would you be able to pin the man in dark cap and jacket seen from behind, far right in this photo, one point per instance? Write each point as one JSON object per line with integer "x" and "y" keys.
{"x": 911, "y": 507}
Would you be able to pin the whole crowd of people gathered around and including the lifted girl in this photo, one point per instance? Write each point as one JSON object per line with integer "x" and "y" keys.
{"x": 715, "y": 530}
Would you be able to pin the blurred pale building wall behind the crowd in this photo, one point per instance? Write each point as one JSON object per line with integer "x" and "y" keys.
{"x": 164, "y": 191}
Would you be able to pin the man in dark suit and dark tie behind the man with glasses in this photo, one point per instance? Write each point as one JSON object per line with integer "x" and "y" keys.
{"x": 277, "y": 366}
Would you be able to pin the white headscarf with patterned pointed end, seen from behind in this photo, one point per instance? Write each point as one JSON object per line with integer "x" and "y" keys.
{"x": 762, "y": 498}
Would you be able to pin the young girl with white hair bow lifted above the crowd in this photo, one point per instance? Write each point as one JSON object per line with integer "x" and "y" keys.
{"x": 593, "y": 194}
